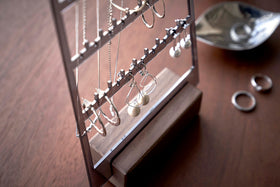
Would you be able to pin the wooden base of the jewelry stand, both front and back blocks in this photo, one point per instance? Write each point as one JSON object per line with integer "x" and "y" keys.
{"x": 186, "y": 103}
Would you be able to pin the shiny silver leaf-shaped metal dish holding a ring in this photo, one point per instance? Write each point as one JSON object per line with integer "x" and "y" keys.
{"x": 236, "y": 26}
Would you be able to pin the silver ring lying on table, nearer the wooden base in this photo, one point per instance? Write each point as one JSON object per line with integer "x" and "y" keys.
{"x": 244, "y": 109}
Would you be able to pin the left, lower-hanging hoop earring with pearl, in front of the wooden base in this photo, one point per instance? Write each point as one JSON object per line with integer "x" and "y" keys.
{"x": 133, "y": 108}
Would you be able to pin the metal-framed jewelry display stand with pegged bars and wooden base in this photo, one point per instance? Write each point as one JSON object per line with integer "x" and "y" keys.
{"x": 174, "y": 98}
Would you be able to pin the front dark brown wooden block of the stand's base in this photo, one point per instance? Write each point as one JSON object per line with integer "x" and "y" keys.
{"x": 185, "y": 105}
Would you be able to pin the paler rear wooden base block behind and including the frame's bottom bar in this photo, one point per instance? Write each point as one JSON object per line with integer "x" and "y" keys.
{"x": 104, "y": 149}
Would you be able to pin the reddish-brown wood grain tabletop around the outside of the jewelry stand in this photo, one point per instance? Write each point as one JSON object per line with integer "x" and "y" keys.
{"x": 222, "y": 147}
